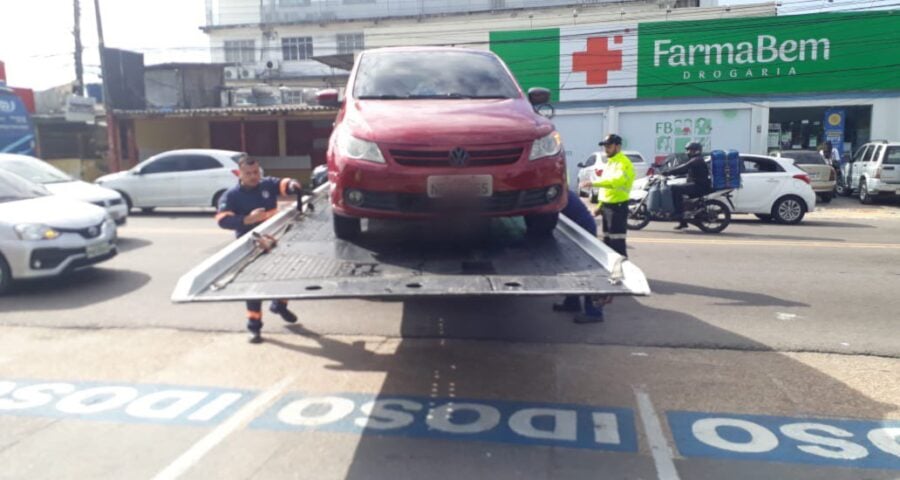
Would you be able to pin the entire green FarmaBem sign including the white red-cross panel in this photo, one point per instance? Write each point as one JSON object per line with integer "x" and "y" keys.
{"x": 817, "y": 53}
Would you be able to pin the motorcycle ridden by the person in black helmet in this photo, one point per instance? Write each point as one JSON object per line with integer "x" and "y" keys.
{"x": 709, "y": 212}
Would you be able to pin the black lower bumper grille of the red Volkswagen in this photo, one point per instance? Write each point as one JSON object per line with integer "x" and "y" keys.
{"x": 421, "y": 203}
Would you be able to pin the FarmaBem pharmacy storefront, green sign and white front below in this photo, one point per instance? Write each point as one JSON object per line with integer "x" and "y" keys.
{"x": 754, "y": 84}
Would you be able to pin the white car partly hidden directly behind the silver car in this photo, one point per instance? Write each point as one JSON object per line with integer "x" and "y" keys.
{"x": 60, "y": 183}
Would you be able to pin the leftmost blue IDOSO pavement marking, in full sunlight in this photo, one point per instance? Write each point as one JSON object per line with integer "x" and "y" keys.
{"x": 116, "y": 402}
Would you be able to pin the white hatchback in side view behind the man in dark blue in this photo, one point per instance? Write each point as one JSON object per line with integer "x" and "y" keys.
{"x": 177, "y": 178}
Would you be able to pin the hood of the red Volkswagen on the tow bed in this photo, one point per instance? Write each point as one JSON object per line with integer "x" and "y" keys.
{"x": 443, "y": 122}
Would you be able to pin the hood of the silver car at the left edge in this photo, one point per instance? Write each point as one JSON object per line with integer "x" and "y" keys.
{"x": 52, "y": 210}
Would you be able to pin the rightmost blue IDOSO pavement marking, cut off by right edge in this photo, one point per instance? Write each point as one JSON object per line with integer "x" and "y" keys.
{"x": 816, "y": 441}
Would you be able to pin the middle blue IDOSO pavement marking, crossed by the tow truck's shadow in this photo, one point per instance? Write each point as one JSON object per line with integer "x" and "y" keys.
{"x": 412, "y": 416}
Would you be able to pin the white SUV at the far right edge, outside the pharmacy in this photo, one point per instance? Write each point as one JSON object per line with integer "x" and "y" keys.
{"x": 873, "y": 171}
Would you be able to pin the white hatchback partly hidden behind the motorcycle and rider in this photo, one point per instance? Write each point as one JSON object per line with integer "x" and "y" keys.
{"x": 773, "y": 189}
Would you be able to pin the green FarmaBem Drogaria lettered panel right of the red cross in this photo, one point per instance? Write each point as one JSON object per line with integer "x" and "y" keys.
{"x": 829, "y": 52}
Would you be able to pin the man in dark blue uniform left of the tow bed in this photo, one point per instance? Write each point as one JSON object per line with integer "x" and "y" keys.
{"x": 244, "y": 206}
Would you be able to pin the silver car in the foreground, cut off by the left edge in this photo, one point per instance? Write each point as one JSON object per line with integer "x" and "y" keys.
{"x": 44, "y": 235}
